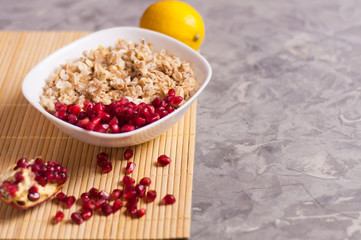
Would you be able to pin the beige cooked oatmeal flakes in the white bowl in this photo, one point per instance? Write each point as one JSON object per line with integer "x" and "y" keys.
{"x": 128, "y": 70}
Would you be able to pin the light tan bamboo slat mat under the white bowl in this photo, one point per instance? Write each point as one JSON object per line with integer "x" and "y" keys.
{"x": 24, "y": 132}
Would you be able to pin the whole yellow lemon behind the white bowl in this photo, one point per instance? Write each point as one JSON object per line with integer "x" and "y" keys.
{"x": 176, "y": 19}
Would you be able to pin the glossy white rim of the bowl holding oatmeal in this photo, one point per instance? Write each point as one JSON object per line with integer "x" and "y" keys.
{"x": 139, "y": 130}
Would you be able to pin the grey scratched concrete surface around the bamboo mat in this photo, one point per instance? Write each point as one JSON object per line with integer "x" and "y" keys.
{"x": 278, "y": 146}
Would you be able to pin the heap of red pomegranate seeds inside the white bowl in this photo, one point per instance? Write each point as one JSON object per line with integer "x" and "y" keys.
{"x": 117, "y": 117}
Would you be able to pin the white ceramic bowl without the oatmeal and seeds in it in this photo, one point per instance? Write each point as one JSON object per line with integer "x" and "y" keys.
{"x": 35, "y": 80}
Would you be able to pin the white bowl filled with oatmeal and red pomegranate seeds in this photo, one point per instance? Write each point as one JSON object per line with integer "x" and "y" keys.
{"x": 159, "y": 85}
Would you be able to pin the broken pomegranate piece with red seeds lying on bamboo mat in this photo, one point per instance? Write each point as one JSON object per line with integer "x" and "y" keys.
{"x": 30, "y": 182}
